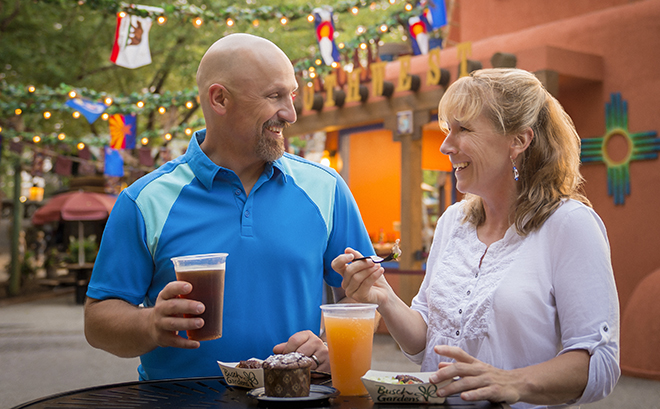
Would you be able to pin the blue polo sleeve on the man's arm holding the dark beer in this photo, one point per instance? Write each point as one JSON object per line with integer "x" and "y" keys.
{"x": 124, "y": 266}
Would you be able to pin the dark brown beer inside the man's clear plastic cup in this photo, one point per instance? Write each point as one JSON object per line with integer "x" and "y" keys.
{"x": 209, "y": 289}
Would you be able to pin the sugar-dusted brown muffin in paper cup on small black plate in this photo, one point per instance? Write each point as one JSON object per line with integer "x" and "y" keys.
{"x": 287, "y": 375}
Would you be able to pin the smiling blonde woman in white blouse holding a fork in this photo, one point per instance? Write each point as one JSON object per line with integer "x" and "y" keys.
{"x": 519, "y": 299}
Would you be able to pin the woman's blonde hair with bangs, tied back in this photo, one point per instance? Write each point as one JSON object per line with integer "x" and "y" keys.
{"x": 514, "y": 100}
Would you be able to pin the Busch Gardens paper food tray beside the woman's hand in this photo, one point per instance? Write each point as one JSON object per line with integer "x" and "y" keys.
{"x": 400, "y": 387}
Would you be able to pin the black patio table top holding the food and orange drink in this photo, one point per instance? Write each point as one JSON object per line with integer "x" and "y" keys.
{"x": 212, "y": 392}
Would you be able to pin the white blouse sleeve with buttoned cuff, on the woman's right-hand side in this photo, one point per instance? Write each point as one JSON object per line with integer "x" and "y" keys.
{"x": 586, "y": 297}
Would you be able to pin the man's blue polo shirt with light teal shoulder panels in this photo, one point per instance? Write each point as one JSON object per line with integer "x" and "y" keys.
{"x": 281, "y": 240}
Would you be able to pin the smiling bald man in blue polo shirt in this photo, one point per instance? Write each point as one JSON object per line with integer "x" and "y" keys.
{"x": 281, "y": 218}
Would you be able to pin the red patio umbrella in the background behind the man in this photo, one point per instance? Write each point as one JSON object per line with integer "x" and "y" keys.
{"x": 75, "y": 206}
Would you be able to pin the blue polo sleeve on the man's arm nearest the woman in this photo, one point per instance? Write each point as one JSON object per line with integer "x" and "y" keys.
{"x": 348, "y": 230}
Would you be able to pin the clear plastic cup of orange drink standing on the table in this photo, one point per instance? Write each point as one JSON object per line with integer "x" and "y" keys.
{"x": 350, "y": 333}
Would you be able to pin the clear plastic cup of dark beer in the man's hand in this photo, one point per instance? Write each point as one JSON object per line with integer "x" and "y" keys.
{"x": 206, "y": 274}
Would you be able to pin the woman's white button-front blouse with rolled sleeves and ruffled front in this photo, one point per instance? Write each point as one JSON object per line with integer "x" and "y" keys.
{"x": 531, "y": 299}
